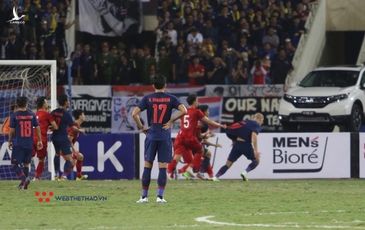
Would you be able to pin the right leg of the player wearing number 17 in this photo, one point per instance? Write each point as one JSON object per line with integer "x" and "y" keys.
{"x": 164, "y": 155}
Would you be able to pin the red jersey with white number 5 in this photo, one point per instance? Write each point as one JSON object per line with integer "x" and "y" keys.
{"x": 189, "y": 122}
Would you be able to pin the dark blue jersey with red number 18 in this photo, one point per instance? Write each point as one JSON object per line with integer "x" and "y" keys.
{"x": 23, "y": 123}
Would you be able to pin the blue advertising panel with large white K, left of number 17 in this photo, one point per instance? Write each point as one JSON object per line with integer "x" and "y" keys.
{"x": 108, "y": 156}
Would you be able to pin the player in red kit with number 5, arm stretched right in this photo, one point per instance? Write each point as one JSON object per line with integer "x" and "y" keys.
{"x": 186, "y": 140}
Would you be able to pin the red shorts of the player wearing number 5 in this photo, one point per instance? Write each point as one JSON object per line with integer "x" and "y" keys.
{"x": 183, "y": 145}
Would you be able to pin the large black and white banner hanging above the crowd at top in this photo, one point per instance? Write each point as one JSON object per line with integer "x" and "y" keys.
{"x": 110, "y": 17}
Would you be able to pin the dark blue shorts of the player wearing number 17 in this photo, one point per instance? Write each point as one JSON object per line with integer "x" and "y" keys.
{"x": 162, "y": 147}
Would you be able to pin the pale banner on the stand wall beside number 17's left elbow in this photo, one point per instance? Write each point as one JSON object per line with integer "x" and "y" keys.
{"x": 122, "y": 120}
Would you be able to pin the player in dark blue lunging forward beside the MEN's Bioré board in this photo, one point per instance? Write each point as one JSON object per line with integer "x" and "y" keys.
{"x": 244, "y": 137}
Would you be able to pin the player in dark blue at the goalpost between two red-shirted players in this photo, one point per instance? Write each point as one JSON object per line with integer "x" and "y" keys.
{"x": 60, "y": 139}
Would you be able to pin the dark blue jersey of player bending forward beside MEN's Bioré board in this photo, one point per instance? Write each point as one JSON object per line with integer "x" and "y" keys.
{"x": 243, "y": 129}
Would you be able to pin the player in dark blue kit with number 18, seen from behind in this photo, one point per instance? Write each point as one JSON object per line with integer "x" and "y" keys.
{"x": 22, "y": 122}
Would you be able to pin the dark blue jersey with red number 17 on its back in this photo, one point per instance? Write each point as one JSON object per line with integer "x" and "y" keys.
{"x": 159, "y": 108}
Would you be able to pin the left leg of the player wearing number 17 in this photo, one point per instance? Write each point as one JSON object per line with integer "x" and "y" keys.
{"x": 150, "y": 153}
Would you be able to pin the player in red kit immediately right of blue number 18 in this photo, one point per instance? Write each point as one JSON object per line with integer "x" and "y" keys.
{"x": 45, "y": 120}
